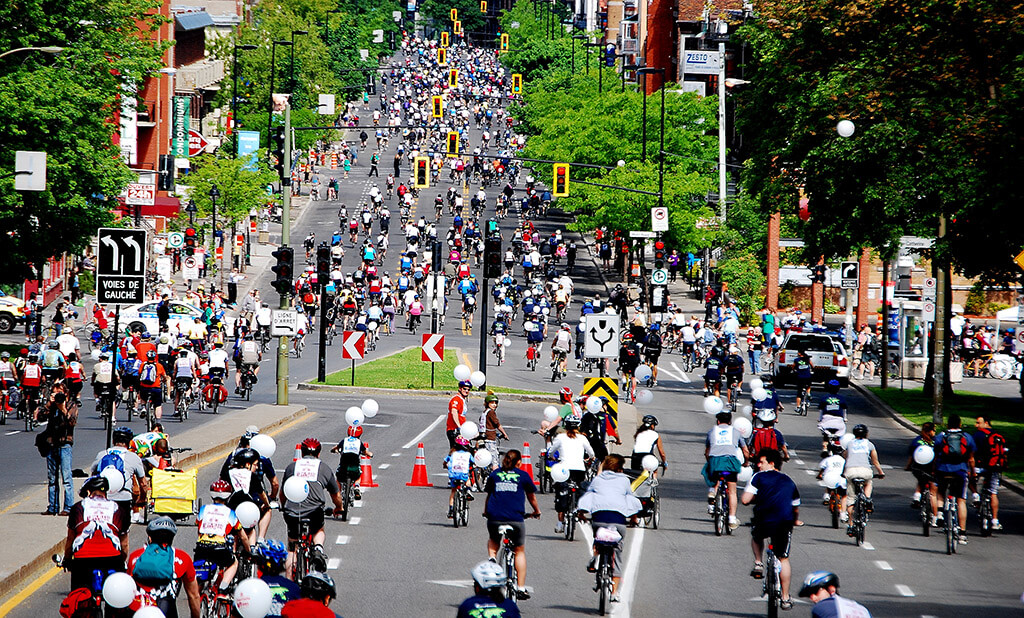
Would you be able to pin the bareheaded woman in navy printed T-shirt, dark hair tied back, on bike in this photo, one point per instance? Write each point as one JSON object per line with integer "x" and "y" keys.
{"x": 508, "y": 490}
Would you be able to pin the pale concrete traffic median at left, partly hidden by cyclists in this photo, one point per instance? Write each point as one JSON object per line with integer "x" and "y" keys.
{"x": 39, "y": 538}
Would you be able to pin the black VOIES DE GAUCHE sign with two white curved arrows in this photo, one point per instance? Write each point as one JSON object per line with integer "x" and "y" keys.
{"x": 121, "y": 267}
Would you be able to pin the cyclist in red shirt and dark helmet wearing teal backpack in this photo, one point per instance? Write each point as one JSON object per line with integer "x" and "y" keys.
{"x": 160, "y": 569}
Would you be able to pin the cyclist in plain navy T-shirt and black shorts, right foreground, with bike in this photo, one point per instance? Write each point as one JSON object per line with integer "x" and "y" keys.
{"x": 777, "y": 511}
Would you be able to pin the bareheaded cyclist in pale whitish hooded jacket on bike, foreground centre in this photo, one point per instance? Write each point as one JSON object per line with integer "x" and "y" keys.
{"x": 611, "y": 504}
